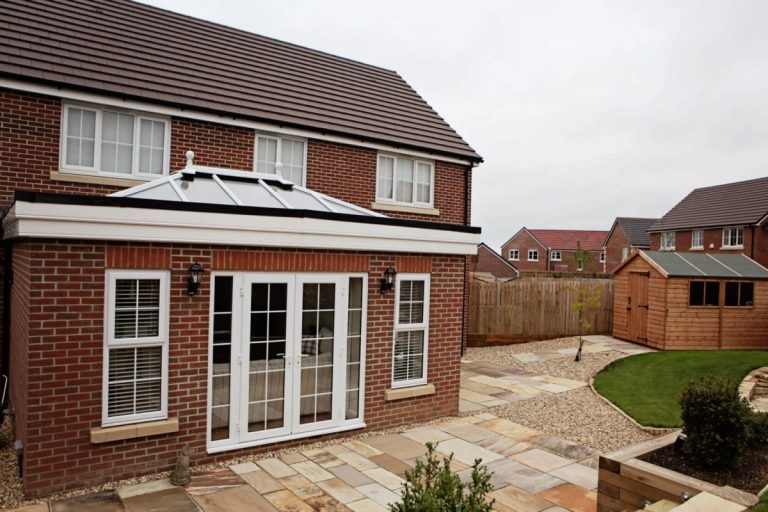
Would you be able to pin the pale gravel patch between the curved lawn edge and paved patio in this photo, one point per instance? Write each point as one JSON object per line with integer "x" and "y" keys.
{"x": 578, "y": 416}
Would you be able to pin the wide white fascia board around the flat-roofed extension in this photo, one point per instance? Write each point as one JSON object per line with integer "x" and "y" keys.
{"x": 90, "y": 222}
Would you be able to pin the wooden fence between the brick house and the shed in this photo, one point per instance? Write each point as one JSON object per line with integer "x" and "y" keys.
{"x": 531, "y": 309}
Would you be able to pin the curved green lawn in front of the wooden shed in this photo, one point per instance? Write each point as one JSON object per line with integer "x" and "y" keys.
{"x": 648, "y": 386}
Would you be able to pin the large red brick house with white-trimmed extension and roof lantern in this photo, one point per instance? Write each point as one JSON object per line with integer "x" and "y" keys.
{"x": 217, "y": 239}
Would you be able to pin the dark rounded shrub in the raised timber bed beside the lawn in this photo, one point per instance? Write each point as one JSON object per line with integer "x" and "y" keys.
{"x": 716, "y": 422}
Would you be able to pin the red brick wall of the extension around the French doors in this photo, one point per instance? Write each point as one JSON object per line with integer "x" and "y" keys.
{"x": 65, "y": 340}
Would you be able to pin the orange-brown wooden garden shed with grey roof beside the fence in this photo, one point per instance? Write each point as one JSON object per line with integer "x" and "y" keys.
{"x": 670, "y": 300}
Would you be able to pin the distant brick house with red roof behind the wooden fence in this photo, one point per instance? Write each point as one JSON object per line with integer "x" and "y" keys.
{"x": 554, "y": 250}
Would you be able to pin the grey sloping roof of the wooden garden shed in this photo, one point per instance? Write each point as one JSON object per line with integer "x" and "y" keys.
{"x": 676, "y": 264}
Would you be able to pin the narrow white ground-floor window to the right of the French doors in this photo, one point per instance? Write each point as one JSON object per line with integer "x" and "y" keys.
{"x": 409, "y": 362}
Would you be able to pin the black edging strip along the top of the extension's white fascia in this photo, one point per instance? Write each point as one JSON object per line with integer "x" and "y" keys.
{"x": 154, "y": 204}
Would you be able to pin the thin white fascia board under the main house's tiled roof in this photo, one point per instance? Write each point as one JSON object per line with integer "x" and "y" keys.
{"x": 156, "y": 108}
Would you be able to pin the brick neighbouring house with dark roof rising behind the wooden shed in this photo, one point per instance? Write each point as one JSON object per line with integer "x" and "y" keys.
{"x": 728, "y": 218}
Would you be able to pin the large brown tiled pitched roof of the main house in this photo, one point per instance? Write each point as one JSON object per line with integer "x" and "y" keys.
{"x": 134, "y": 50}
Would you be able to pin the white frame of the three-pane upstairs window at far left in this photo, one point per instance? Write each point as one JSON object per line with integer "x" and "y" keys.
{"x": 96, "y": 169}
